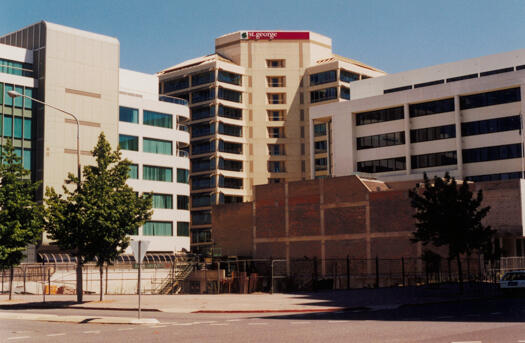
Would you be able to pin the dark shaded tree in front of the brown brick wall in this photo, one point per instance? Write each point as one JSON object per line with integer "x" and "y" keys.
{"x": 449, "y": 215}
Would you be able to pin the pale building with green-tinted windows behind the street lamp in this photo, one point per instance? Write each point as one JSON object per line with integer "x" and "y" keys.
{"x": 78, "y": 71}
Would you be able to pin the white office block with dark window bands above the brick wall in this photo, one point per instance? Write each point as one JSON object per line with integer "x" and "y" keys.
{"x": 463, "y": 117}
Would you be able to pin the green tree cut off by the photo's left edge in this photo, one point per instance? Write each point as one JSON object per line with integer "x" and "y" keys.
{"x": 21, "y": 218}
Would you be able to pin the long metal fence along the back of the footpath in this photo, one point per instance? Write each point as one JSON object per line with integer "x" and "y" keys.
{"x": 254, "y": 275}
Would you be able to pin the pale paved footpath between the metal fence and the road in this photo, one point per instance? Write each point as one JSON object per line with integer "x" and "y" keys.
{"x": 322, "y": 301}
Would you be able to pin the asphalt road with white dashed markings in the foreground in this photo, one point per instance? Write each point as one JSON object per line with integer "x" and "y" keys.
{"x": 497, "y": 320}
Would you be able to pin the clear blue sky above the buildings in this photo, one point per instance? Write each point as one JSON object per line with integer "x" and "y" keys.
{"x": 393, "y": 35}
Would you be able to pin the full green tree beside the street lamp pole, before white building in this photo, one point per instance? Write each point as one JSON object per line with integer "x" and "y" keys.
{"x": 95, "y": 219}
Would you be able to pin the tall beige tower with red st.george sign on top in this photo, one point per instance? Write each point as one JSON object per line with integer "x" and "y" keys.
{"x": 249, "y": 104}
